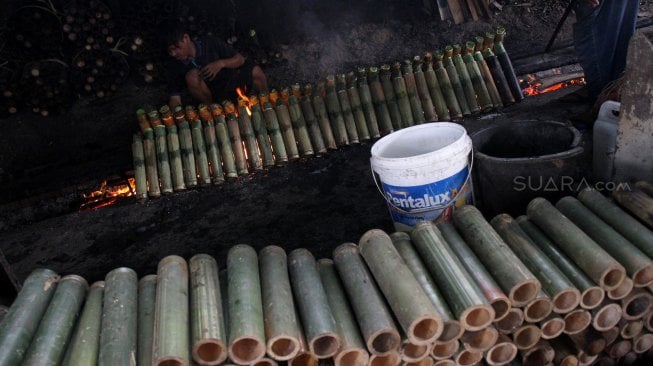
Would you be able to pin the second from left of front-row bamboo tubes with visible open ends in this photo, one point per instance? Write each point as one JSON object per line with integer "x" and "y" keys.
{"x": 246, "y": 329}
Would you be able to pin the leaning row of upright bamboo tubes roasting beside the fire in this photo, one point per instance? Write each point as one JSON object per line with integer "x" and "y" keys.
{"x": 187, "y": 147}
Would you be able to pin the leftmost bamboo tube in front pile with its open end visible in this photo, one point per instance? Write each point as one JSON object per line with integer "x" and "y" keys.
{"x": 207, "y": 323}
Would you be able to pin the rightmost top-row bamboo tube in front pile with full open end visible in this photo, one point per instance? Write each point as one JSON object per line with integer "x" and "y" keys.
{"x": 589, "y": 256}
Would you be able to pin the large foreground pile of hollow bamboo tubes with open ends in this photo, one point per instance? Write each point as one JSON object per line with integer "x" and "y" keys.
{"x": 566, "y": 284}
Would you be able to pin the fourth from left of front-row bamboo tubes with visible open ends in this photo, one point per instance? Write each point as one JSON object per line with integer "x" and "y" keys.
{"x": 317, "y": 318}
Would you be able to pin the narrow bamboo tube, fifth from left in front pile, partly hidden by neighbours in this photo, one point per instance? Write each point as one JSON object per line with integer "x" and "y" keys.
{"x": 146, "y": 301}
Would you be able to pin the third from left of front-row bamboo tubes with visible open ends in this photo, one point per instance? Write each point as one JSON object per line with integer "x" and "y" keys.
{"x": 280, "y": 318}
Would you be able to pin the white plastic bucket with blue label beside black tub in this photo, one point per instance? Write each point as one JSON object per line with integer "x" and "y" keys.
{"x": 423, "y": 172}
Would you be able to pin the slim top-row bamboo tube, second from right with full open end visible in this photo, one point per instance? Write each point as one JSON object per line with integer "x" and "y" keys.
{"x": 591, "y": 295}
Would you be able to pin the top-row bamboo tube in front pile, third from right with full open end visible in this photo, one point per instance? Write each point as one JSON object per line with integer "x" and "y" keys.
{"x": 564, "y": 295}
